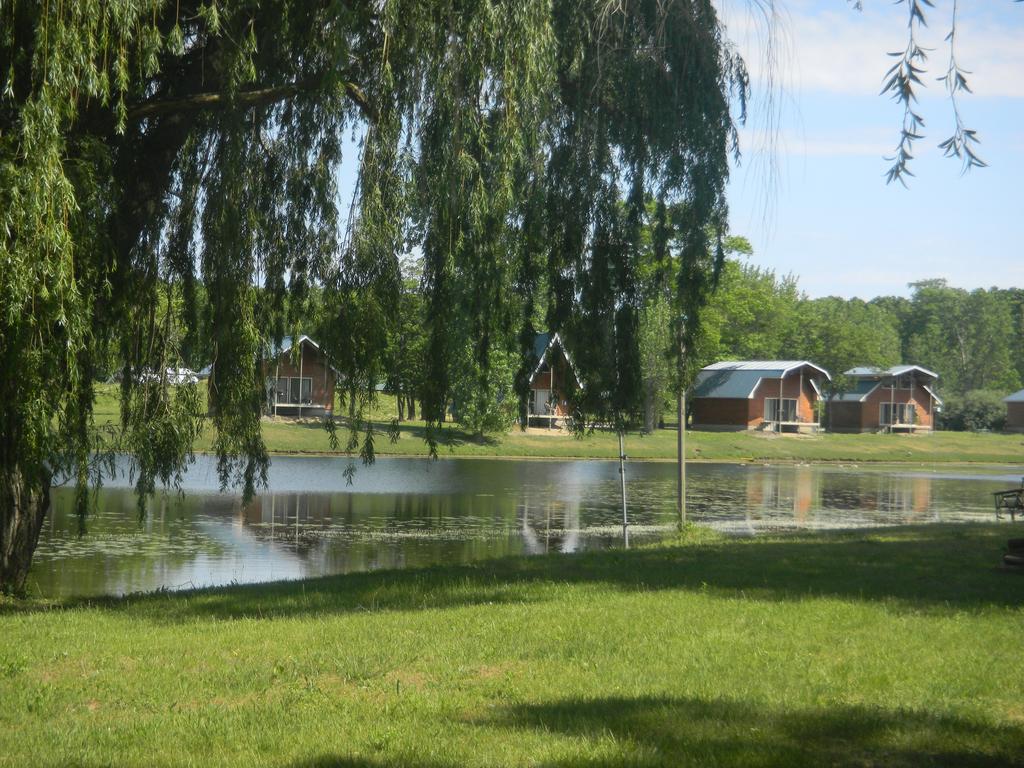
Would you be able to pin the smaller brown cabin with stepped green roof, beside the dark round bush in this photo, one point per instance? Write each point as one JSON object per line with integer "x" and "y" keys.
{"x": 897, "y": 400}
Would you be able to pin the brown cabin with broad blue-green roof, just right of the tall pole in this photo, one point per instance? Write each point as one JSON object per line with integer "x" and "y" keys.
{"x": 776, "y": 396}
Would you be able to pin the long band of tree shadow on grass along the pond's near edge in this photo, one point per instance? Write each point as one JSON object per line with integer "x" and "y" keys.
{"x": 935, "y": 568}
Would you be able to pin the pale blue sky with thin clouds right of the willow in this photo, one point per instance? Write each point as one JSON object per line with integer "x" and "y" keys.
{"x": 815, "y": 201}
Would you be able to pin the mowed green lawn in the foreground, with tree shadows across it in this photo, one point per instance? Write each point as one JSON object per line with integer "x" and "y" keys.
{"x": 899, "y": 648}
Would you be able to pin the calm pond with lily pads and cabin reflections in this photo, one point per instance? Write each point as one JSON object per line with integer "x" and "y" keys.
{"x": 413, "y": 513}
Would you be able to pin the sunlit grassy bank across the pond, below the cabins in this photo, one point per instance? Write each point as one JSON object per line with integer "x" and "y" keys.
{"x": 287, "y": 437}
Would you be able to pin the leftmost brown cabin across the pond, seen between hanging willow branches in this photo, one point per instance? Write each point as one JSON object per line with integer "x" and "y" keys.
{"x": 303, "y": 382}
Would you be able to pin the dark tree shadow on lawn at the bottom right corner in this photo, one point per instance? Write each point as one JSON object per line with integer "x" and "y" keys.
{"x": 671, "y": 732}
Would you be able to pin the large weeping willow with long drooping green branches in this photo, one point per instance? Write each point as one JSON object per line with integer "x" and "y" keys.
{"x": 150, "y": 149}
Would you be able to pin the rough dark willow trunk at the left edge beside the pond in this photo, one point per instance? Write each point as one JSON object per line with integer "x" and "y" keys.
{"x": 23, "y": 509}
